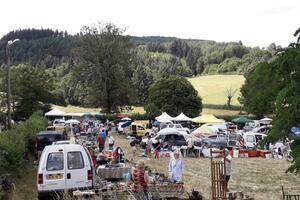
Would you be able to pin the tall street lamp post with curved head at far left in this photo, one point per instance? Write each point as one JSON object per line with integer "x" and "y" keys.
{"x": 9, "y": 43}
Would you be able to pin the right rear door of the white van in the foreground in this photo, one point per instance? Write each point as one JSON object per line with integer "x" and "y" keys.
{"x": 77, "y": 168}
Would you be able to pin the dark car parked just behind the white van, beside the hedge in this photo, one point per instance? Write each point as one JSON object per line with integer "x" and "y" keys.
{"x": 45, "y": 138}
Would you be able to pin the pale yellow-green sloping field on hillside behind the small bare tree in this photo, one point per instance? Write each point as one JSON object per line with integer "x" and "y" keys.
{"x": 212, "y": 88}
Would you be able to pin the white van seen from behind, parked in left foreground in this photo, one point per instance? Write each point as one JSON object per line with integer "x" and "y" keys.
{"x": 64, "y": 167}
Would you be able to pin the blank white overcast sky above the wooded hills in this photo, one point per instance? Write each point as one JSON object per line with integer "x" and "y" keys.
{"x": 254, "y": 22}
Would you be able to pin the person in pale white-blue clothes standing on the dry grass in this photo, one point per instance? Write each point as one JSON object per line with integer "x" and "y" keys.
{"x": 176, "y": 167}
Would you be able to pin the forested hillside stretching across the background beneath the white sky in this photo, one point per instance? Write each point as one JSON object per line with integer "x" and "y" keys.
{"x": 60, "y": 58}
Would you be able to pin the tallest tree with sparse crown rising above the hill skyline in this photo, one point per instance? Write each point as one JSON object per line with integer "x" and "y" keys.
{"x": 104, "y": 59}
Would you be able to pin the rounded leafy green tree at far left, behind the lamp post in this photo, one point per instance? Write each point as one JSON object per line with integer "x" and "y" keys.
{"x": 31, "y": 90}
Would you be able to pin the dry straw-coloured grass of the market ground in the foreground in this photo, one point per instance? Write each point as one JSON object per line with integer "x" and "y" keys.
{"x": 258, "y": 177}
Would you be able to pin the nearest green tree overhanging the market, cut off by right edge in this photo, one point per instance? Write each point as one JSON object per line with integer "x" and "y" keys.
{"x": 287, "y": 112}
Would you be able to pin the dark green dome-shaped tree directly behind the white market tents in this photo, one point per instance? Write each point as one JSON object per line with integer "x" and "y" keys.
{"x": 173, "y": 95}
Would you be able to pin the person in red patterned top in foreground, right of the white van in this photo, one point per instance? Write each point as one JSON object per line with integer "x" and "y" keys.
{"x": 140, "y": 181}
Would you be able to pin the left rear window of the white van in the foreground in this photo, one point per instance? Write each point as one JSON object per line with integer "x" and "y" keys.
{"x": 55, "y": 161}
